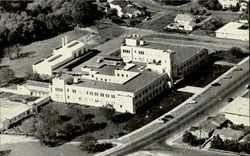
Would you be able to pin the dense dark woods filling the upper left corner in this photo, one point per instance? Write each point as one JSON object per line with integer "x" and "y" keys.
{"x": 23, "y": 22}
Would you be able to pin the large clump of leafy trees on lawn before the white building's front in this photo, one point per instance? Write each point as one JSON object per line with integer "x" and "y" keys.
{"x": 53, "y": 128}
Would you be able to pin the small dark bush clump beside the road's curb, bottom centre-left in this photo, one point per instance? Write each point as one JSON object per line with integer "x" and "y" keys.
{"x": 90, "y": 144}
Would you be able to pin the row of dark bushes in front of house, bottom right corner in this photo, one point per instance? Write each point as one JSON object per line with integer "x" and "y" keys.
{"x": 230, "y": 145}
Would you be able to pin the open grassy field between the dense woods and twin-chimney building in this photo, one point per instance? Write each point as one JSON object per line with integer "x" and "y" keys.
{"x": 36, "y": 51}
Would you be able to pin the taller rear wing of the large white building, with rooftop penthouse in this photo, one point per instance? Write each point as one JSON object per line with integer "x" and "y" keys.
{"x": 177, "y": 61}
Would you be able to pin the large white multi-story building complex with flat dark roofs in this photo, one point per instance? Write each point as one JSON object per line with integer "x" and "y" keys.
{"x": 144, "y": 71}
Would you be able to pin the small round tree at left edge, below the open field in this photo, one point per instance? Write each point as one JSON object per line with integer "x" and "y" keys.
{"x": 6, "y": 75}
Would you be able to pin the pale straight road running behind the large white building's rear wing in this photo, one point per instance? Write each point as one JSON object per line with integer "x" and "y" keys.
{"x": 188, "y": 39}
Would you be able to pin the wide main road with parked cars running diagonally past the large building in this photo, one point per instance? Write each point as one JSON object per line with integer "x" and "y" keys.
{"x": 186, "y": 113}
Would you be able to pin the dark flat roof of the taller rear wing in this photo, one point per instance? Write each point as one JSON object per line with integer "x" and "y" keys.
{"x": 182, "y": 53}
